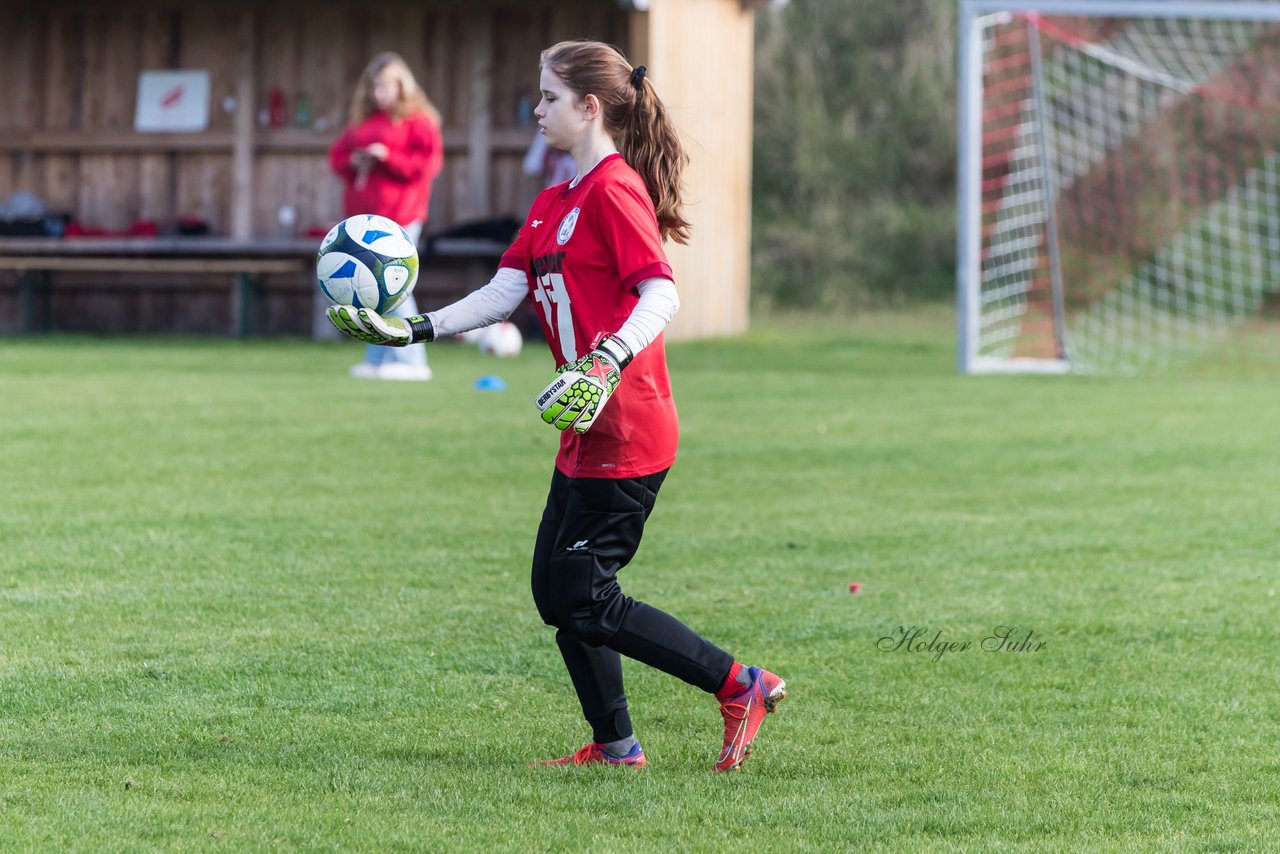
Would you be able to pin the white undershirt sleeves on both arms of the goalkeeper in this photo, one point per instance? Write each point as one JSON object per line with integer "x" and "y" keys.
{"x": 497, "y": 300}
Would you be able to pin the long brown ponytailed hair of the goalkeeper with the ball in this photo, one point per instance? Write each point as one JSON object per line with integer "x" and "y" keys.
{"x": 637, "y": 120}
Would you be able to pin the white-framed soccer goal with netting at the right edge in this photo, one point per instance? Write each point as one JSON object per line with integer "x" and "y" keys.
{"x": 1119, "y": 184}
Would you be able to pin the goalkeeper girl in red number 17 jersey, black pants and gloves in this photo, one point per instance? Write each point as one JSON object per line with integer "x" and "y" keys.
{"x": 591, "y": 257}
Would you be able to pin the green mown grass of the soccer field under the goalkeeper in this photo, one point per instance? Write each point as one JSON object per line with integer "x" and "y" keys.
{"x": 249, "y": 604}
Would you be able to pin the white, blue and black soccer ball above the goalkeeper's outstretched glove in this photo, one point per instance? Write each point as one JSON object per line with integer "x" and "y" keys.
{"x": 368, "y": 262}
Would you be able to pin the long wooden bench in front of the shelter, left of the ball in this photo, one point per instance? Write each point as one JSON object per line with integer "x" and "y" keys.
{"x": 36, "y": 259}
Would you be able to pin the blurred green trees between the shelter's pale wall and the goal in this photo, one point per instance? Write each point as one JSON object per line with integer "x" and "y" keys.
{"x": 854, "y": 161}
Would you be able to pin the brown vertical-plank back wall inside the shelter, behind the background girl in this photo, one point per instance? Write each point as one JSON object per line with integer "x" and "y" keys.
{"x": 71, "y": 71}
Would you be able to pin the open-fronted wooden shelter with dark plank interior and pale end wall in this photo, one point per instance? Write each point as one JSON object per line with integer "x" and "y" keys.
{"x": 68, "y": 136}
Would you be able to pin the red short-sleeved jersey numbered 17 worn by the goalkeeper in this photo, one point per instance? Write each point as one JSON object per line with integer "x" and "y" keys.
{"x": 586, "y": 249}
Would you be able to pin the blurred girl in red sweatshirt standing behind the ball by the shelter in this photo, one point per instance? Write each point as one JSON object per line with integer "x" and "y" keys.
{"x": 388, "y": 158}
